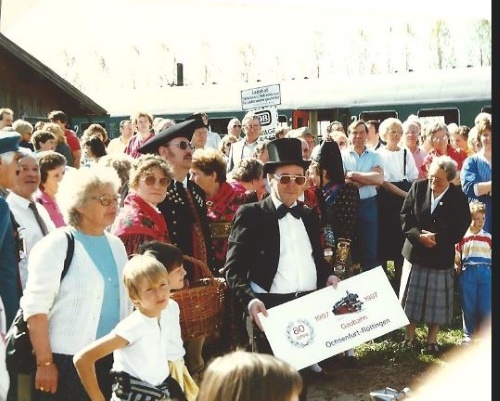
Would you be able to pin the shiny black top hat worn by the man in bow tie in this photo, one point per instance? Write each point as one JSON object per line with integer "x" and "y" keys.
{"x": 284, "y": 151}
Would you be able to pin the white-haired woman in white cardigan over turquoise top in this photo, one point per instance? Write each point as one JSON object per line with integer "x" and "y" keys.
{"x": 65, "y": 314}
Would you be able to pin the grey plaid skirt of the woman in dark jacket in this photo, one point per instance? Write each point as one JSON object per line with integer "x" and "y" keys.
{"x": 427, "y": 295}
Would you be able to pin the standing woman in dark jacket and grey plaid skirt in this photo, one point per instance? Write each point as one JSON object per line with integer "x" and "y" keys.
{"x": 435, "y": 216}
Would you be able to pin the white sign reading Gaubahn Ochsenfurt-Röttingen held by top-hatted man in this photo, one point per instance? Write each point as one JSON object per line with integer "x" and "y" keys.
{"x": 329, "y": 321}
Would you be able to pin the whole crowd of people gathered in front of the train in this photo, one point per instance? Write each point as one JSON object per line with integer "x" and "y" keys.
{"x": 276, "y": 219}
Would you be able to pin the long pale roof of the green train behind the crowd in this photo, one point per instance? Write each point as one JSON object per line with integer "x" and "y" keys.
{"x": 432, "y": 86}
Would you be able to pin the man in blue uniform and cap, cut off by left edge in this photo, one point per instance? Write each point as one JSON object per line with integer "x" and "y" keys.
{"x": 10, "y": 285}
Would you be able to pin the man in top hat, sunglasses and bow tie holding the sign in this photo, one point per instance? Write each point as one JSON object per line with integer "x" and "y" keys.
{"x": 266, "y": 267}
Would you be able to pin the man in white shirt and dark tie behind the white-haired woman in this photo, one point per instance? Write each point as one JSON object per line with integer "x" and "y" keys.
{"x": 32, "y": 219}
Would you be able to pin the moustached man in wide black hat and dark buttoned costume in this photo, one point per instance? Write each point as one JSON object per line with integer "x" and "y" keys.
{"x": 185, "y": 212}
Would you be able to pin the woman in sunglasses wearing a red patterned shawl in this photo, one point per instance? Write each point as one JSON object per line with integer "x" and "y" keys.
{"x": 139, "y": 220}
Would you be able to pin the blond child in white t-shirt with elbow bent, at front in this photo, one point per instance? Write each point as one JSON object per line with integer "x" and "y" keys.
{"x": 139, "y": 343}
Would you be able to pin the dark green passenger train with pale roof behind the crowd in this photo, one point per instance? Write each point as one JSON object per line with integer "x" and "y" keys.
{"x": 457, "y": 96}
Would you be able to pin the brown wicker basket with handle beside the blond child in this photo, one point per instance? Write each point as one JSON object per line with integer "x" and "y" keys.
{"x": 202, "y": 304}
